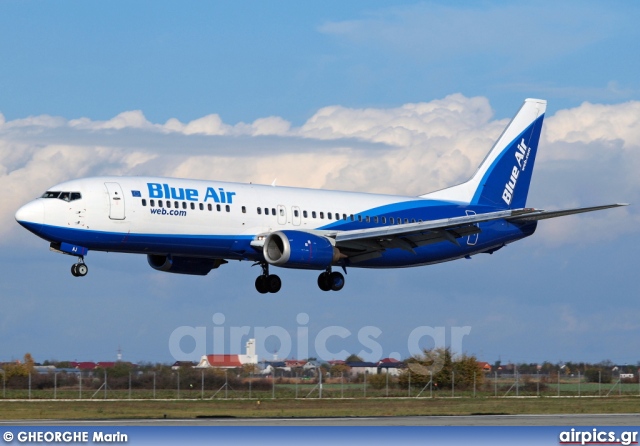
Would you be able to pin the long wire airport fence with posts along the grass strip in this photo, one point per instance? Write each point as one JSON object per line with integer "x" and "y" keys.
{"x": 208, "y": 384}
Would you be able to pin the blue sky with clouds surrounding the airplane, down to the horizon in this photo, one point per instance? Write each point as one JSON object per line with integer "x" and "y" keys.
{"x": 389, "y": 97}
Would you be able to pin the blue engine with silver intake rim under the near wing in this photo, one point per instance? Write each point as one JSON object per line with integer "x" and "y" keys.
{"x": 298, "y": 249}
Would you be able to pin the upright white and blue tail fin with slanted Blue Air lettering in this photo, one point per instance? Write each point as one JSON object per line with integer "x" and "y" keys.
{"x": 503, "y": 178}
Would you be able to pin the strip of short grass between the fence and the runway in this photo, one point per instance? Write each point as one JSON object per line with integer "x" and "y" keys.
{"x": 290, "y": 408}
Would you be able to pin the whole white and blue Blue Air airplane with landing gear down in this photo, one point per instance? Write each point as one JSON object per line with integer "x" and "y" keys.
{"x": 191, "y": 227}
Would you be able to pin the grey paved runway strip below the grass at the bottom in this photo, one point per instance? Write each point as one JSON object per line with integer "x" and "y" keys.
{"x": 478, "y": 420}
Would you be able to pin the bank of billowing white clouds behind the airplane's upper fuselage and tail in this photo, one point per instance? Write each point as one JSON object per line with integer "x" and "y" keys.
{"x": 588, "y": 153}
